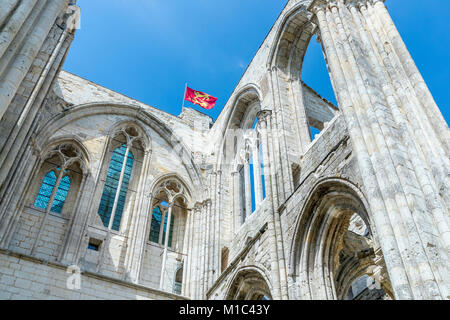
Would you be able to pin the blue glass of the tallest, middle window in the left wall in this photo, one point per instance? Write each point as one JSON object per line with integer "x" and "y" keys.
{"x": 111, "y": 187}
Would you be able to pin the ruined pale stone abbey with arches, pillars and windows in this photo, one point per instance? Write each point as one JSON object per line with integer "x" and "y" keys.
{"x": 105, "y": 197}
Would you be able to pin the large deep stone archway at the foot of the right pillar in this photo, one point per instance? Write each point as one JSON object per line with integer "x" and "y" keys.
{"x": 335, "y": 244}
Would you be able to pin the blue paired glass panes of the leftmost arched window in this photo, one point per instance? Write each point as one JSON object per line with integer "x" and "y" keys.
{"x": 45, "y": 192}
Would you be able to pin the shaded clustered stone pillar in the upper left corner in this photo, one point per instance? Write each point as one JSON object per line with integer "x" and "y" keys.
{"x": 27, "y": 70}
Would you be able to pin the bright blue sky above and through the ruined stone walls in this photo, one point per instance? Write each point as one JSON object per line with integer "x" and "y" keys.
{"x": 149, "y": 49}
